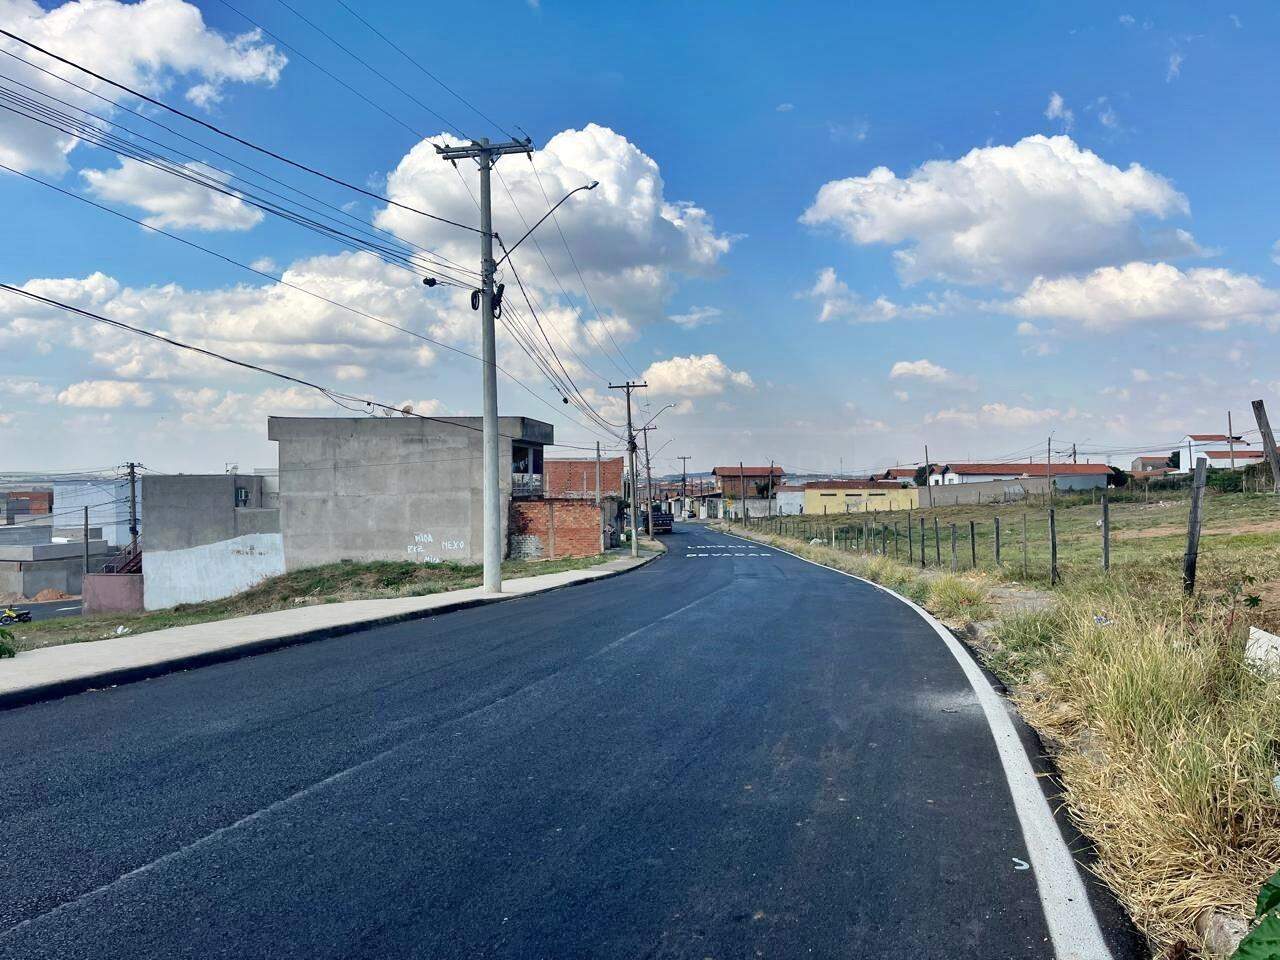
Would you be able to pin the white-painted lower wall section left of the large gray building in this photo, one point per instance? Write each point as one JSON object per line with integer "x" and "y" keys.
{"x": 211, "y": 572}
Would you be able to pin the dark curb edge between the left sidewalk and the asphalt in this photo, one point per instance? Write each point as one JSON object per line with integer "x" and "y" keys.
{"x": 84, "y": 683}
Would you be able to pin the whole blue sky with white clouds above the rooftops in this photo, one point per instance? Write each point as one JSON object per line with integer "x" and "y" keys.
{"x": 1032, "y": 220}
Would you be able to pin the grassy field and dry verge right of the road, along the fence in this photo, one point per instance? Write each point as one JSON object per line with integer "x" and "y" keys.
{"x": 1167, "y": 740}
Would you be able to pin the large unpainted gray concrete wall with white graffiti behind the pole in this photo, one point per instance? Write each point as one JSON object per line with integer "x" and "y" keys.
{"x": 394, "y": 488}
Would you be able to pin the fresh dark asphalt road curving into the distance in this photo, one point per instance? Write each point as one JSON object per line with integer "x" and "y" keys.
{"x": 729, "y": 753}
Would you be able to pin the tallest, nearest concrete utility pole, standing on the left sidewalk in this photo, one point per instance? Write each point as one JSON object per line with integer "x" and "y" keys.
{"x": 486, "y": 156}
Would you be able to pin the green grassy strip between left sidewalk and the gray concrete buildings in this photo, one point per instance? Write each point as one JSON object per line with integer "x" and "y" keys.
{"x": 332, "y": 583}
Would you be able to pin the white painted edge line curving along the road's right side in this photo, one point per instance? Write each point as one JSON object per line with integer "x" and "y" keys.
{"x": 1068, "y": 913}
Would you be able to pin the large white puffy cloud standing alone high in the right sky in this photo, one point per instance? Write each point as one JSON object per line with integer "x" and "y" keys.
{"x": 1007, "y": 214}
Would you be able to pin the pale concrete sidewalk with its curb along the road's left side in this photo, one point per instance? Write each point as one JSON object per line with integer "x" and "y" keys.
{"x": 60, "y": 671}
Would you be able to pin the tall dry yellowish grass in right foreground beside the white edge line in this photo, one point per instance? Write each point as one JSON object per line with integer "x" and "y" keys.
{"x": 1168, "y": 749}
